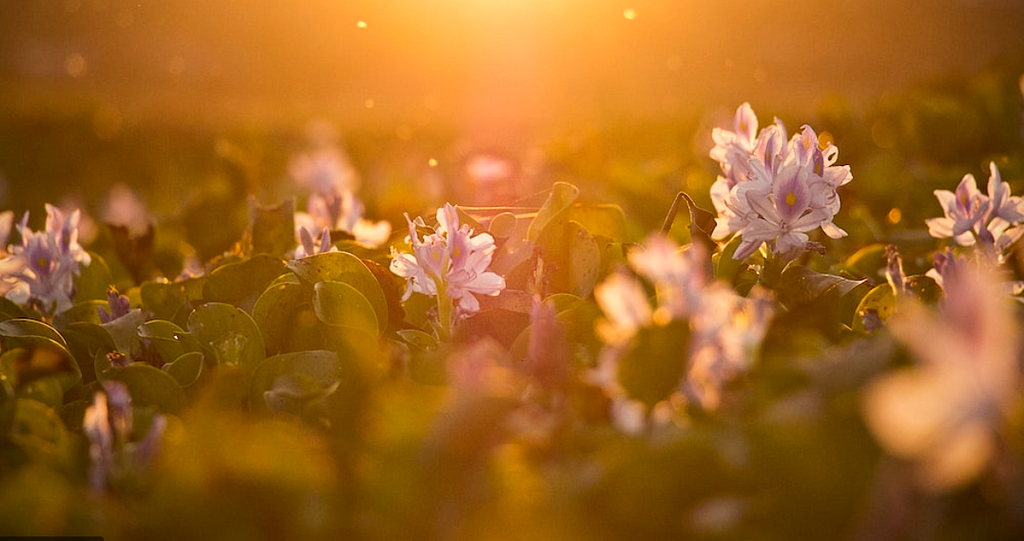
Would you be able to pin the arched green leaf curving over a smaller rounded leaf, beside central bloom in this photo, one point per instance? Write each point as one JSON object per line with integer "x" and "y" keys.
{"x": 344, "y": 267}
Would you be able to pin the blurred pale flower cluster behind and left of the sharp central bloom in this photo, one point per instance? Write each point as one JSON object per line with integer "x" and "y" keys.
{"x": 333, "y": 203}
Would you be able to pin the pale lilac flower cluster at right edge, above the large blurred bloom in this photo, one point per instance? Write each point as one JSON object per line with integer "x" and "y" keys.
{"x": 992, "y": 222}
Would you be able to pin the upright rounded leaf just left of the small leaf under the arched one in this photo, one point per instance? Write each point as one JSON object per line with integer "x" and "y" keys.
{"x": 286, "y": 318}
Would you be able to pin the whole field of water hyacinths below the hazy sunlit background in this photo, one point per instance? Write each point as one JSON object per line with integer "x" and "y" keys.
{"x": 752, "y": 326}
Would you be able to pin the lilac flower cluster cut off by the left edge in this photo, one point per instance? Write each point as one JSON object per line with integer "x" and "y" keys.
{"x": 40, "y": 272}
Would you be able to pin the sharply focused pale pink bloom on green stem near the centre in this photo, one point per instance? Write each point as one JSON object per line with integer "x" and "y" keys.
{"x": 450, "y": 264}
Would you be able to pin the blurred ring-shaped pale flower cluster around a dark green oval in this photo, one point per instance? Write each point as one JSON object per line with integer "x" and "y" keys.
{"x": 724, "y": 328}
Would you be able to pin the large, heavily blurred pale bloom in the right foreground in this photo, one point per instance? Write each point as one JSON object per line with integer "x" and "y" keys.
{"x": 945, "y": 414}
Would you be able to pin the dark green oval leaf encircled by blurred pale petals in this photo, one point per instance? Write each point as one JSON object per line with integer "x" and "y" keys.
{"x": 655, "y": 365}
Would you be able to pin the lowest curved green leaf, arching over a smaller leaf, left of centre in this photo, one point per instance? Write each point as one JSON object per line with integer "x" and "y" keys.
{"x": 321, "y": 367}
